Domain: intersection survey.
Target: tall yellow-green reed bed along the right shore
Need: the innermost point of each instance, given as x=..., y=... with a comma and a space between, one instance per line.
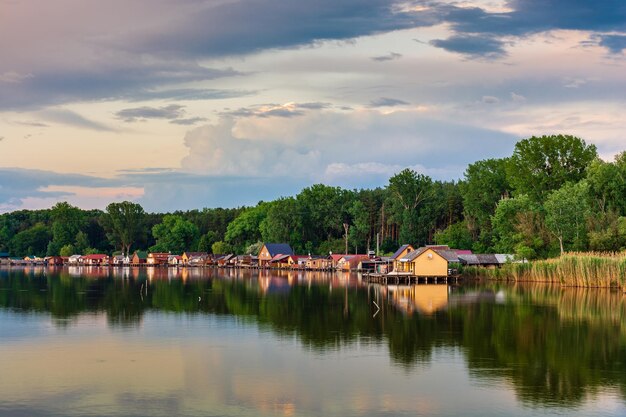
x=584, y=269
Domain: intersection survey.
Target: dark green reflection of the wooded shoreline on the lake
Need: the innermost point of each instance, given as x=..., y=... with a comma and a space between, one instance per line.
x=555, y=345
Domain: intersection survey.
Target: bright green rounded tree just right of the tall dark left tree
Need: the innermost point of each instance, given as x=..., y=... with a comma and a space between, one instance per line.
x=175, y=234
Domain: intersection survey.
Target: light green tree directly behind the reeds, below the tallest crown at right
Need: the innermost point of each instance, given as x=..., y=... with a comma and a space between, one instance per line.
x=567, y=210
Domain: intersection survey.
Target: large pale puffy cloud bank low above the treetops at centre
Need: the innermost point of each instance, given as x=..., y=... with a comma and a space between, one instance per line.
x=318, y=144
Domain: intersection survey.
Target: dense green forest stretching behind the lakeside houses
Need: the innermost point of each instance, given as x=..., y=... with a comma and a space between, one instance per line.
x=552, y=195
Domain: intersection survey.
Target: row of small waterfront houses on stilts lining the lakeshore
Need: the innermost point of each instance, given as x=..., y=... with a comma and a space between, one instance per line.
x=430, y=262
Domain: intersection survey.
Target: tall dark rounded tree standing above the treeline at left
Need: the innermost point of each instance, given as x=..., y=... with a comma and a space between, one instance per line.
x=124, y=224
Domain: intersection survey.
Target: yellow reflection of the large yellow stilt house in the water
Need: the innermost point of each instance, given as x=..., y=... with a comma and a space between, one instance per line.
x=424, y=299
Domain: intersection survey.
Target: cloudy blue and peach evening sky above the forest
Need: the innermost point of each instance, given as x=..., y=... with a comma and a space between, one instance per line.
x=183, y=104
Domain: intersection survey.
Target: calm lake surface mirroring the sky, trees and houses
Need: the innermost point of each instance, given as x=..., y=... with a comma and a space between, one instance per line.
x=222, y=343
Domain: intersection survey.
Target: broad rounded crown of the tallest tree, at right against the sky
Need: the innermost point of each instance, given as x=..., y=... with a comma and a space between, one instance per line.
x=543, y=164
